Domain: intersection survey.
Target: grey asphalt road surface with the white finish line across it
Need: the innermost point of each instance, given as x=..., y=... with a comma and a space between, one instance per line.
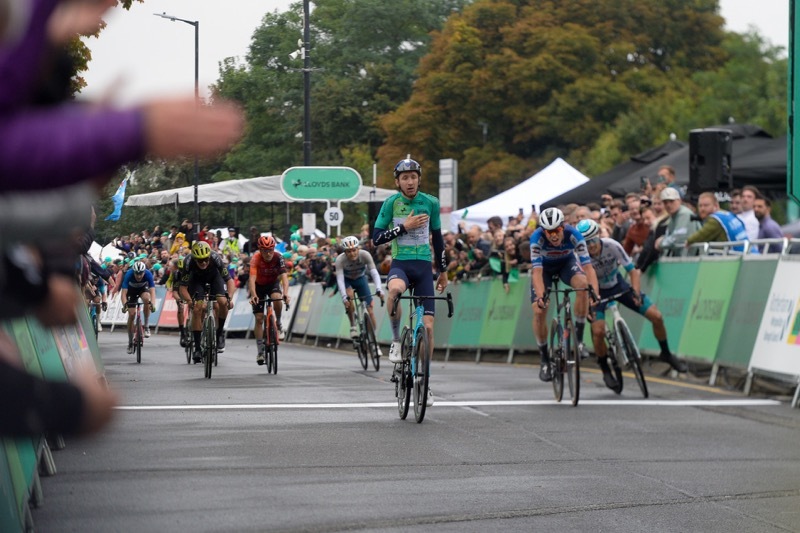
x=320, y=447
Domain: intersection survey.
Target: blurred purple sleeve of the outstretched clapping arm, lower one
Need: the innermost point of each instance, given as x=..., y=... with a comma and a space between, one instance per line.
x=65, y=145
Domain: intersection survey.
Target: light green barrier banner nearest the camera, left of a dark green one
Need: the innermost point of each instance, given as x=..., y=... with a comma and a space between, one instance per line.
x=708, y=307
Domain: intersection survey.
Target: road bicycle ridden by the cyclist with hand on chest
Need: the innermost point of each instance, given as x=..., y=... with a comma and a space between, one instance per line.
x=413, y=373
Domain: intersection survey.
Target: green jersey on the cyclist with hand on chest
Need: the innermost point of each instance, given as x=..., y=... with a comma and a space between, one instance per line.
x=416, y=243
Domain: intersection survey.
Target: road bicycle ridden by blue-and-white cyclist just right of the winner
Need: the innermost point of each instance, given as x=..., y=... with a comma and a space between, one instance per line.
x=564, y=356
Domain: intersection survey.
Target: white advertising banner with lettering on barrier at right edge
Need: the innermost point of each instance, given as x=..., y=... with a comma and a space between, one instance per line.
x=777, y=346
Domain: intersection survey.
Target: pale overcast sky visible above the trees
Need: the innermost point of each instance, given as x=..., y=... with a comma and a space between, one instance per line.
x=140, y=55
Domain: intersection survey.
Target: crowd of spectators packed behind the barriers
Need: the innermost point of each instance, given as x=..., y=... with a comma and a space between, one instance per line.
x=658, y=219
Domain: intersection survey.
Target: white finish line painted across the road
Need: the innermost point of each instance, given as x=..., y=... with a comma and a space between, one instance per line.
x=440, y=403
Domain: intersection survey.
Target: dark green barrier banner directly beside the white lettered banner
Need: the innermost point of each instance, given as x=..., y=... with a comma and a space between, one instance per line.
x=748, y=300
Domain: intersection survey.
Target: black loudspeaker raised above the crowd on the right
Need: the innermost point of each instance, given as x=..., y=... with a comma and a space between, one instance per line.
x=710, y=153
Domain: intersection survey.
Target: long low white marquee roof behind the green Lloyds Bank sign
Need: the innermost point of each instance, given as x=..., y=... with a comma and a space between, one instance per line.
x=253, y=190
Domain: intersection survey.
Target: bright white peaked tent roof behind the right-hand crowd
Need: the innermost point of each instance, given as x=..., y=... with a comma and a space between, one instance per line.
x=555, y=179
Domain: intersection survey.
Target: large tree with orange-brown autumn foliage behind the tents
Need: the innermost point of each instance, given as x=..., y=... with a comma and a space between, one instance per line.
x=548, y=77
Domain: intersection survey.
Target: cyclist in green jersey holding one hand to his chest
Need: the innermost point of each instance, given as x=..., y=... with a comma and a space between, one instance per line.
x=410, y=220
